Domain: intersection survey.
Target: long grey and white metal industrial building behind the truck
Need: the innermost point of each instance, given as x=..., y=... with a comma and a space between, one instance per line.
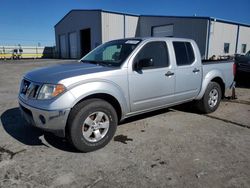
x=80, y=31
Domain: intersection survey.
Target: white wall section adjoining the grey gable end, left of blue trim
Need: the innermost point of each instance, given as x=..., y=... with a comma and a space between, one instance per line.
x=112, y=26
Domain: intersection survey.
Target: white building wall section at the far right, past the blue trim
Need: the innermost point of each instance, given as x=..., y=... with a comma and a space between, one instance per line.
x=244, y=38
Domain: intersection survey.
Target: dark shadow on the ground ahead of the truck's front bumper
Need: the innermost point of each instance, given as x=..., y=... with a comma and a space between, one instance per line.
x=16, y=126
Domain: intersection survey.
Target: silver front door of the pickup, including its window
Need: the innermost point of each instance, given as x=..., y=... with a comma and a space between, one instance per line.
x=152, y=86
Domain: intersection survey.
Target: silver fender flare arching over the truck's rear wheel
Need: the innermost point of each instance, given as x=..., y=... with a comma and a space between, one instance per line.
x=207, y=79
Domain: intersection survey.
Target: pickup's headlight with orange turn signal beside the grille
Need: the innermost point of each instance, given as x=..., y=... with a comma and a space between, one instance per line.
x=48, y=91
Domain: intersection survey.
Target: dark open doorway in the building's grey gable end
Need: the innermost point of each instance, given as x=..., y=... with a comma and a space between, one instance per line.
x=85, y=41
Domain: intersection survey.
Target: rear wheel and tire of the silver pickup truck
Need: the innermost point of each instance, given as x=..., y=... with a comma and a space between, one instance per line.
x=211, y=98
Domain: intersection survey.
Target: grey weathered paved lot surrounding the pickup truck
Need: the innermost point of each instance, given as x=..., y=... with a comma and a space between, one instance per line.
x=174, y=147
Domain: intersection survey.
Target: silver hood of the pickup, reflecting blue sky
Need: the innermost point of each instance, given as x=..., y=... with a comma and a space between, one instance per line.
x=54, y=74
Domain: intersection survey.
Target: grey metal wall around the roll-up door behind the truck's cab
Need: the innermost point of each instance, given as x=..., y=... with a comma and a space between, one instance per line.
x=195, y=29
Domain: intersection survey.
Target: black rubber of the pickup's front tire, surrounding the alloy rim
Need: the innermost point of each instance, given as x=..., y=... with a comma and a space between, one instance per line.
x=76, y=135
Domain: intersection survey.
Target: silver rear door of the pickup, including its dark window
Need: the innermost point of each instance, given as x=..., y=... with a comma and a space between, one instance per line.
x=188, y=71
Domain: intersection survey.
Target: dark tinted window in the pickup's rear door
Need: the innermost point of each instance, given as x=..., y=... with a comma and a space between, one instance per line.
x=184, y=53
